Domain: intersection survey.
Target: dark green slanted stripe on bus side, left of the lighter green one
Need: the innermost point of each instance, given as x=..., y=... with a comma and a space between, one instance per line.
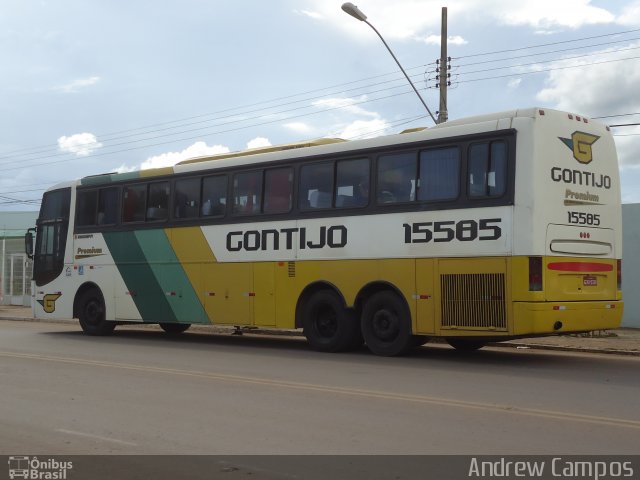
x=139, y=277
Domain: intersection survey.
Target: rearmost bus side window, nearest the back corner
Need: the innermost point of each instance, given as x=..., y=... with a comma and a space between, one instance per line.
x=487, y=169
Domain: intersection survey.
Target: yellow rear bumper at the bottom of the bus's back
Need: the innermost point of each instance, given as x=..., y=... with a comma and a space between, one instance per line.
x=539, y=318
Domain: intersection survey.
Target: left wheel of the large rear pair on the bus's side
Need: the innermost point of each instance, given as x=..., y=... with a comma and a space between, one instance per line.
x=328, y=325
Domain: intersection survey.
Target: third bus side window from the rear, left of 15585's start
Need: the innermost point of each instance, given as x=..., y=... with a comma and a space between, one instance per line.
x=396, y=179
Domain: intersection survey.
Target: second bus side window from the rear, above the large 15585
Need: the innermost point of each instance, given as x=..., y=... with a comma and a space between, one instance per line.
x=439, y=174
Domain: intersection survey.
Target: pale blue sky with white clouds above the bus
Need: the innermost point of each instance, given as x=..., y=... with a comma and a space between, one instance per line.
x=110, y=85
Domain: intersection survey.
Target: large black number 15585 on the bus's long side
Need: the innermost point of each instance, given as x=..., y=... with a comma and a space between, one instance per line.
x=446, y=231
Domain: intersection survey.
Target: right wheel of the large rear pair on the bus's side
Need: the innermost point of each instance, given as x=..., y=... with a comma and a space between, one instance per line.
x=386, y=325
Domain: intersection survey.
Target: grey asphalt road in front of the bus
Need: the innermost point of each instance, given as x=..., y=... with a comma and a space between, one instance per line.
x=143, y=392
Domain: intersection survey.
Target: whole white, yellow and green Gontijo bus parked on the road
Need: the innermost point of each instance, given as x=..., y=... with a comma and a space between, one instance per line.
x=482, y=229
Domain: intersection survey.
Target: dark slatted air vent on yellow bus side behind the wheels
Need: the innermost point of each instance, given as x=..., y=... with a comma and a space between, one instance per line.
x=474, y=301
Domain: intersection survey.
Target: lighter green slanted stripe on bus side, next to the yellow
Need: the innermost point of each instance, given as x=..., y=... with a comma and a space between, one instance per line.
x=171, y=276
